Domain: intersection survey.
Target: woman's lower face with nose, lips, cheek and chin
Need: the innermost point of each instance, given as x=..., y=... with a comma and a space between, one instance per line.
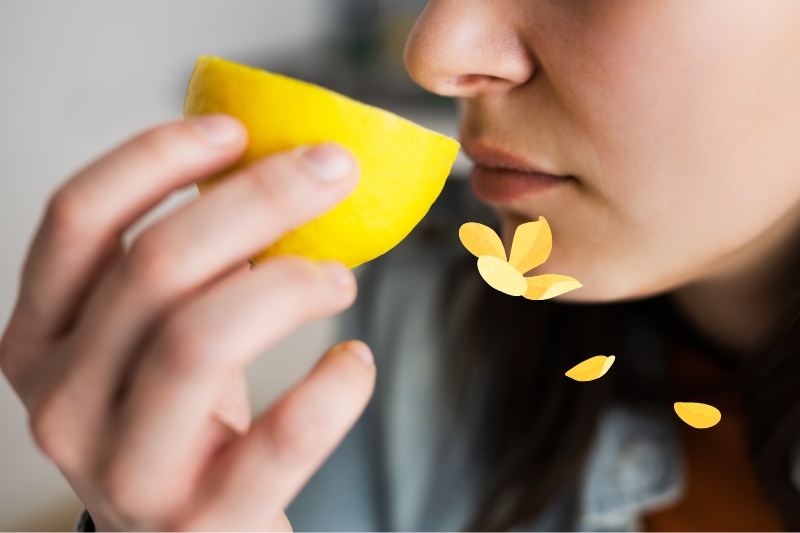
x=659, y=139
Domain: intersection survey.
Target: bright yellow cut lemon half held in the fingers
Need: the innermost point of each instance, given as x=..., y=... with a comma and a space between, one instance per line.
x=403, y=165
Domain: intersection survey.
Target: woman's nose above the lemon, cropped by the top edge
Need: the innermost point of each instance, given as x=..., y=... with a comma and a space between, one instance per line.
x=465, y=48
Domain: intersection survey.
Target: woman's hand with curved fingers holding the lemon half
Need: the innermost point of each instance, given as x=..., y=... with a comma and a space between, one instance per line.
x=130, y=362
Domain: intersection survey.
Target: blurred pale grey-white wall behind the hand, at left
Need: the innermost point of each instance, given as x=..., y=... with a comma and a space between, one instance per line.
x=77, y=77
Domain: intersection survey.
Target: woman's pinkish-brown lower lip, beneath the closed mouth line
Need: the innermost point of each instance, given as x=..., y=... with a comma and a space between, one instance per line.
x=502, y=186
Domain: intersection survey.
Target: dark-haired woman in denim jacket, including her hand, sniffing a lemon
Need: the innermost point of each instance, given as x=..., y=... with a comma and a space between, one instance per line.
x=659, y=139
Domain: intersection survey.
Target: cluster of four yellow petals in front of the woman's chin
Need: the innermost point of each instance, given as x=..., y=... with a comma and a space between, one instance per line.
x=532, y=244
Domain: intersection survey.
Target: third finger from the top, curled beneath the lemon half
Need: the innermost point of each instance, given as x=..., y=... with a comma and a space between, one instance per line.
x=162, y=430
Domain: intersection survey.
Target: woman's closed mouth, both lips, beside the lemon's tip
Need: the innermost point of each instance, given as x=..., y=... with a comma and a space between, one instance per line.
x=502, y=178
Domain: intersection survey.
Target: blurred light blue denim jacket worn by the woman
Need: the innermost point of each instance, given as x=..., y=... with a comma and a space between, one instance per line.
x=404, y=467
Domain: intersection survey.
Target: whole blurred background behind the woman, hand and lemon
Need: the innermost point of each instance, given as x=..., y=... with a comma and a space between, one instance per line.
x=80, y=76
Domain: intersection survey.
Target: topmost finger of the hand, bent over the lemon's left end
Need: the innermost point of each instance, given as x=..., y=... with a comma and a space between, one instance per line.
x=87, y=215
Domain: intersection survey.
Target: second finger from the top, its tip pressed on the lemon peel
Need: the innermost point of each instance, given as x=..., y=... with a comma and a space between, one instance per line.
x=188, y=250
